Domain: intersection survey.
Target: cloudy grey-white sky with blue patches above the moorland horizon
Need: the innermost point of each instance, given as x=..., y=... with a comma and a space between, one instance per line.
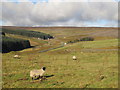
x=78, y=13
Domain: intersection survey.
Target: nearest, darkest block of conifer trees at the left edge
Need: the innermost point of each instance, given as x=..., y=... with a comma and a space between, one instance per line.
x=13, y=44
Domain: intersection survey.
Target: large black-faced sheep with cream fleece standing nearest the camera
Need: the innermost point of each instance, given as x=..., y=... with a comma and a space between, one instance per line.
x=37, y=73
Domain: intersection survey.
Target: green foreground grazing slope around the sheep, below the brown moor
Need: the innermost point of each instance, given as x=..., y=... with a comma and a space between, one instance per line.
x=83, y=73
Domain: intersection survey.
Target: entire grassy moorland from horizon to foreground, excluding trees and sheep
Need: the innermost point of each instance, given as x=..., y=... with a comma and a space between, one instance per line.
x=96, y=65
